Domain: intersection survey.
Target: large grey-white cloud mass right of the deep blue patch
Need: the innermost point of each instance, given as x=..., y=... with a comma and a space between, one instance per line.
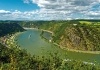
x=65, y=9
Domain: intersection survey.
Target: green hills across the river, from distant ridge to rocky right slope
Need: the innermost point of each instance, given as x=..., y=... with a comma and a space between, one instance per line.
x=73, y=34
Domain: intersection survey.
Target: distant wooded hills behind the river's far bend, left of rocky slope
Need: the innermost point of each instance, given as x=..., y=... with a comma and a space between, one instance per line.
x=50, y=25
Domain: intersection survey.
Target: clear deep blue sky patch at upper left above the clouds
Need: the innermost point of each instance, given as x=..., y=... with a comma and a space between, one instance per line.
x=17, y=5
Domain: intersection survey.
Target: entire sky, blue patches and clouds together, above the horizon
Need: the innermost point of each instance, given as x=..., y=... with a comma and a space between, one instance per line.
x=49, y=9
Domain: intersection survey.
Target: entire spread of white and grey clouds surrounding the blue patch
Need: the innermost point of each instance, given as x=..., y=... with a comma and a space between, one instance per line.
x=56, y=10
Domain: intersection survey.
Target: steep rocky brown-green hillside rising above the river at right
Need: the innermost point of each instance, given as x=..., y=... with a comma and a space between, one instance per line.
x=80, y=37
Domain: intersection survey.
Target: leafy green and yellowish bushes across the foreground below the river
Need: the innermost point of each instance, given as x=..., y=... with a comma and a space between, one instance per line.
x=17, y=59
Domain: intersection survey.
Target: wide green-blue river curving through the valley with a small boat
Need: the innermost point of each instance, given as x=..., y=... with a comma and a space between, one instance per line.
x=35, y=45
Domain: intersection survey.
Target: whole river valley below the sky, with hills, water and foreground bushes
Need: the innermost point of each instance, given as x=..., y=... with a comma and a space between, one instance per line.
x=69, y=42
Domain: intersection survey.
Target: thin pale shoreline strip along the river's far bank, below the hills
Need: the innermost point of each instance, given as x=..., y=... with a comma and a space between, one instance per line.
x=67, y=49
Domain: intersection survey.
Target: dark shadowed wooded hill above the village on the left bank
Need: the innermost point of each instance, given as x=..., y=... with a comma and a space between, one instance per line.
x=8, y=28
